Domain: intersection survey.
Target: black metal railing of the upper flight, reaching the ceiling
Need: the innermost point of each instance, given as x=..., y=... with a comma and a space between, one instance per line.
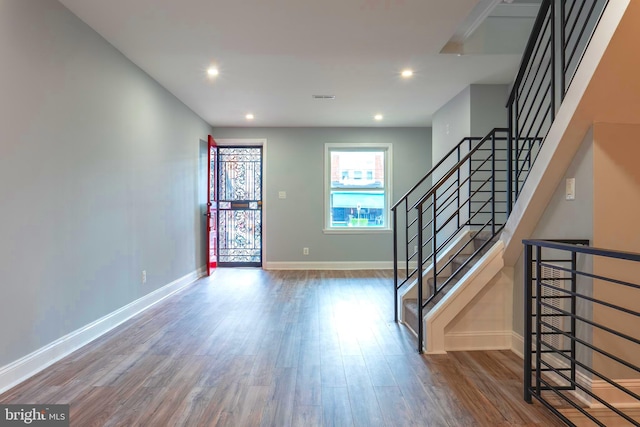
x=559, y=38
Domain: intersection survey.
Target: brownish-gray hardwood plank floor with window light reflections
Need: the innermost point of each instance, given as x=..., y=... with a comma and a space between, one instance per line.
x=248, y=347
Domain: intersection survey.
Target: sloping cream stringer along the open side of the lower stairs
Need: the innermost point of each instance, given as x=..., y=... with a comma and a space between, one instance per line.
x=461, y=296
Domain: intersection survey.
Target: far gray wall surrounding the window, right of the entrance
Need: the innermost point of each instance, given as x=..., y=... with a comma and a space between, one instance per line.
x=295, y=164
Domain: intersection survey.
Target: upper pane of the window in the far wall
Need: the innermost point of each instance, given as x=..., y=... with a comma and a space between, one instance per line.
x=361, y=169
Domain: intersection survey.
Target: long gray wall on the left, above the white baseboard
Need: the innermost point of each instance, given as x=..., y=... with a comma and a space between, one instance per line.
x=99, y=178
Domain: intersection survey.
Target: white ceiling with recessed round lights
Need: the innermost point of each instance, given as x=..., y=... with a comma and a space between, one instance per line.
x=273, y=55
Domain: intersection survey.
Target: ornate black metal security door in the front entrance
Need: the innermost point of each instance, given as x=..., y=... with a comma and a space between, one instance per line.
x=239, y=206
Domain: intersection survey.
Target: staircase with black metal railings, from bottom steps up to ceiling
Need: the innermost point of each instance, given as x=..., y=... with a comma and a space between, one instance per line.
x=445, y=223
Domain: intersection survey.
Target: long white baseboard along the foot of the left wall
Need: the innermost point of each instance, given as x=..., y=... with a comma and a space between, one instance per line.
x=29, y=365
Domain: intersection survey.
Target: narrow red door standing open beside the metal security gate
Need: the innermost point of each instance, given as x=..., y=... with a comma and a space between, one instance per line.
x=212, y=207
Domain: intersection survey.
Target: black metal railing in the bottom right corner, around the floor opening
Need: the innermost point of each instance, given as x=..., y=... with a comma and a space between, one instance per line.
x=581, y=311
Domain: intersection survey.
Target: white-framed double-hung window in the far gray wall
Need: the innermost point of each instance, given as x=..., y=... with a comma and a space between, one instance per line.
x=357, y=187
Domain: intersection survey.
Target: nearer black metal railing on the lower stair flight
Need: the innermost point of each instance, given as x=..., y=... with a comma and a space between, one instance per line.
x=477, y=185
